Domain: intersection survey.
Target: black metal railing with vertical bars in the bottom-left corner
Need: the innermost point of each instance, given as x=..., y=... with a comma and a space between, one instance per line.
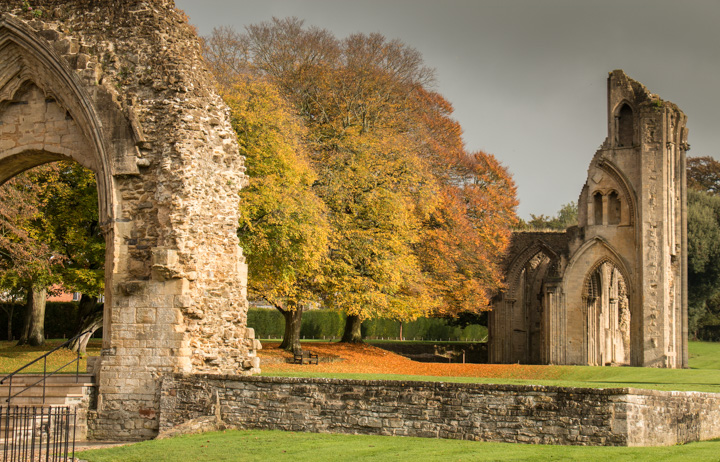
x=38, y=433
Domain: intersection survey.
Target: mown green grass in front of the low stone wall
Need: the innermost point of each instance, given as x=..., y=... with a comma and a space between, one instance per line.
x=278, y=446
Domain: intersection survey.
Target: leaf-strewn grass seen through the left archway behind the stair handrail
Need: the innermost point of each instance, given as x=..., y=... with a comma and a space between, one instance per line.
x=13, y=357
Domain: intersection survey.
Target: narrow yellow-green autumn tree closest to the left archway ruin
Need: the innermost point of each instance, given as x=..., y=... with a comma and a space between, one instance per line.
x=283, y=229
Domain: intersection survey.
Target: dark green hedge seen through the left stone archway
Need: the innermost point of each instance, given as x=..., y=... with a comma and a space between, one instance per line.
x=60, y=318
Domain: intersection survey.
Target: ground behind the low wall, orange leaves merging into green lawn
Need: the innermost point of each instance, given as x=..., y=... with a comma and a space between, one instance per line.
x=366, y=362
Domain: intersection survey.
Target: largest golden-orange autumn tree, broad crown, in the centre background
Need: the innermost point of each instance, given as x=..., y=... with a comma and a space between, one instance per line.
x=385, y=163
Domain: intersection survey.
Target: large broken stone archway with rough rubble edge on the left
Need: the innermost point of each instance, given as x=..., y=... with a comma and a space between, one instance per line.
x=121, y=88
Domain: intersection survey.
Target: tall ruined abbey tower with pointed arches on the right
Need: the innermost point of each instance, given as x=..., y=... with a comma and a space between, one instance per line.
x=612, y=290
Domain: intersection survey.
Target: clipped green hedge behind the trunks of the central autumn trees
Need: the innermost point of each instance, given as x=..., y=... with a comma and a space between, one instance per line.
x=328, y=324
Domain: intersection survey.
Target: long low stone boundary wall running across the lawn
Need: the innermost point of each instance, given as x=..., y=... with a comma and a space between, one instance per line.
x=481, y=412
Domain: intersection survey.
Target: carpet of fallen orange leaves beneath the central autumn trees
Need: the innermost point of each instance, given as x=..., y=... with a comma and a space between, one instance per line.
x=367, y=359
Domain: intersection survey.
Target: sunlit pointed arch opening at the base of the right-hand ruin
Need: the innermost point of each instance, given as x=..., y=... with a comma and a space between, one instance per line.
x=607, y=316
